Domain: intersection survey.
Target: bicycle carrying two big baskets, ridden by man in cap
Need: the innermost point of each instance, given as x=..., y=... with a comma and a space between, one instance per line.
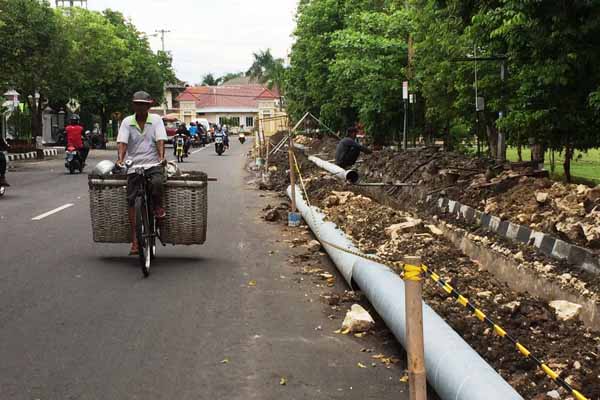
x=146, y=227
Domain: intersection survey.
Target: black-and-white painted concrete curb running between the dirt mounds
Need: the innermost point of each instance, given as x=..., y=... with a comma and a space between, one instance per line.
x=547, y=244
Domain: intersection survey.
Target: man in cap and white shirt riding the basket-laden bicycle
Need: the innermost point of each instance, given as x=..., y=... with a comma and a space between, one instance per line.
x=141, y=139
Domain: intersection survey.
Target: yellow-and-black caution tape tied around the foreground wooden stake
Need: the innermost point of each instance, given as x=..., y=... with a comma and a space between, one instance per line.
x=413, y=273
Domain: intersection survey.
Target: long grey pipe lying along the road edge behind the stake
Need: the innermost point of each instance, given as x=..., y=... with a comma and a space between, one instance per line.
x=454, y=369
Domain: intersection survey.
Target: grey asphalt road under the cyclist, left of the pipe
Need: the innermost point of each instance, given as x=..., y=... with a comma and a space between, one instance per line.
x=78, y=321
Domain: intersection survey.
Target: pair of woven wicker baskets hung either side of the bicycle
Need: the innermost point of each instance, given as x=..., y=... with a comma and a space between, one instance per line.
x=185, y=199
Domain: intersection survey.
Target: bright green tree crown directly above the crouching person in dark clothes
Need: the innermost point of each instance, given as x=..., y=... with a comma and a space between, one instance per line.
x=368, y=69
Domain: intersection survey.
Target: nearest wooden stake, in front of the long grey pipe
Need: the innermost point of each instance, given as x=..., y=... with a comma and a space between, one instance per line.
x=417, y=378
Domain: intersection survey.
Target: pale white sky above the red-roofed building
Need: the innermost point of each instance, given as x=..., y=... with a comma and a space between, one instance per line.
x=211, y=36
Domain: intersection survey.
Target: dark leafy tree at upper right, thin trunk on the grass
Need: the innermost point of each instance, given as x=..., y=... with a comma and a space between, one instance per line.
x=554, y=50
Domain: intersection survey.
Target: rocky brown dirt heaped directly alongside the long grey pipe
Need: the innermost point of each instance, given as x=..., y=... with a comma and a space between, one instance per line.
x=566, y=346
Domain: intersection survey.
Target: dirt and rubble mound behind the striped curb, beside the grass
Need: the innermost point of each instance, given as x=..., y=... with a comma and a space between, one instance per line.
x=513, y=192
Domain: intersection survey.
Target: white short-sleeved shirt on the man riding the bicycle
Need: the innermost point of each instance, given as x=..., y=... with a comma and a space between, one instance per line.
x=141, y=146
